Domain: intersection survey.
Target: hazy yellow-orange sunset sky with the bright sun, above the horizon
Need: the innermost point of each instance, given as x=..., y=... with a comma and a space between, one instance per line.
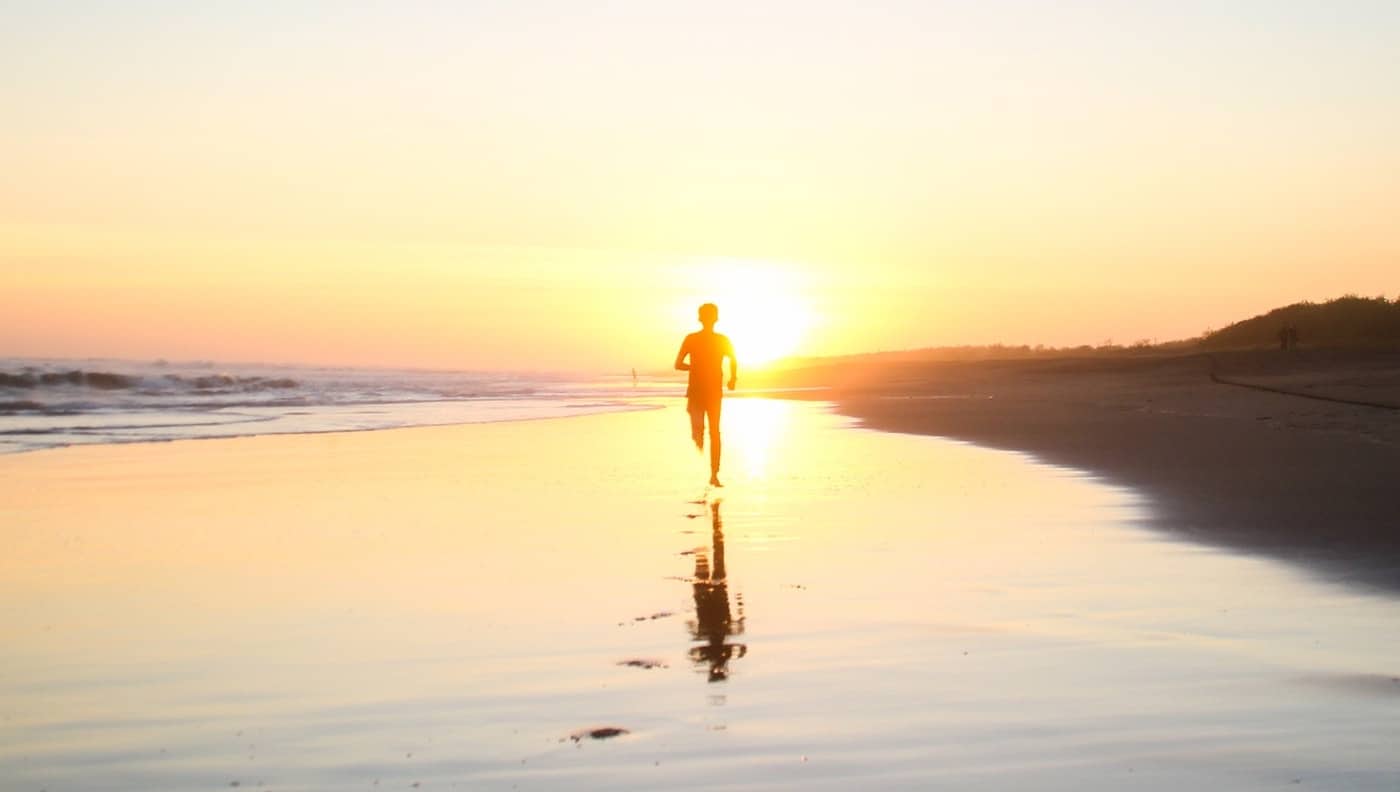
x=549, y=185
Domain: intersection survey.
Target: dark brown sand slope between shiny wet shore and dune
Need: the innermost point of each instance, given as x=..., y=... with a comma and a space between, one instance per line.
x=1269, y=457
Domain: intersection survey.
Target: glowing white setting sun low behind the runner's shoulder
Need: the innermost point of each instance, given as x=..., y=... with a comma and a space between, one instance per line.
x=762, y=310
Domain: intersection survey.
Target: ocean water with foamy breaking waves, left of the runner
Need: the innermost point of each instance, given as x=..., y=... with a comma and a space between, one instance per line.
x=51, y=404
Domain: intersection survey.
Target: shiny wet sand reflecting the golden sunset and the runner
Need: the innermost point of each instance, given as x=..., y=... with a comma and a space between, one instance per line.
x=563, y=604
